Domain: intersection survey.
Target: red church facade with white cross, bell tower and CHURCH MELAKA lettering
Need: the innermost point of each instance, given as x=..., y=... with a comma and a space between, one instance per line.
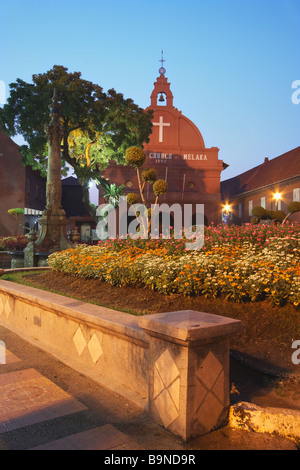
x=177, y=152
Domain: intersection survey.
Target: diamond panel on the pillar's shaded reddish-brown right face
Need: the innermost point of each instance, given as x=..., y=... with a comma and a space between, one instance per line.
x=209, y=391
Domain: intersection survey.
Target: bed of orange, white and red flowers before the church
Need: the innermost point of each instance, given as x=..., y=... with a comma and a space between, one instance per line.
x=248, y=263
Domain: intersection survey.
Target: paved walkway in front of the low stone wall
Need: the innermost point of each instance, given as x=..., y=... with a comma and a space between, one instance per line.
x=45, y=405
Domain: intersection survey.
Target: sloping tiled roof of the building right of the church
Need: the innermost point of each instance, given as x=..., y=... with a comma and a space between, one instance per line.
x=271, y=171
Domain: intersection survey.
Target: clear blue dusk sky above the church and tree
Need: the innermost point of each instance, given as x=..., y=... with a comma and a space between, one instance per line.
x=231, y=63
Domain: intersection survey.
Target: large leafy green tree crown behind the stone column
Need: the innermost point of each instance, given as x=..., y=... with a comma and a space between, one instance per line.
x=96, y=126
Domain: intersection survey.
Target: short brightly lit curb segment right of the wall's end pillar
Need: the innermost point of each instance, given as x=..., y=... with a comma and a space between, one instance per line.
x=277, y=421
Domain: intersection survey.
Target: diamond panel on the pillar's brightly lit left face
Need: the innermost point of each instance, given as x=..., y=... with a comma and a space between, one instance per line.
x=166, y=388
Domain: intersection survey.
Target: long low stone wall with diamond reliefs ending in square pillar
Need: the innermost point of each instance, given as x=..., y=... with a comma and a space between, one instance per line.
x=173, y=364
